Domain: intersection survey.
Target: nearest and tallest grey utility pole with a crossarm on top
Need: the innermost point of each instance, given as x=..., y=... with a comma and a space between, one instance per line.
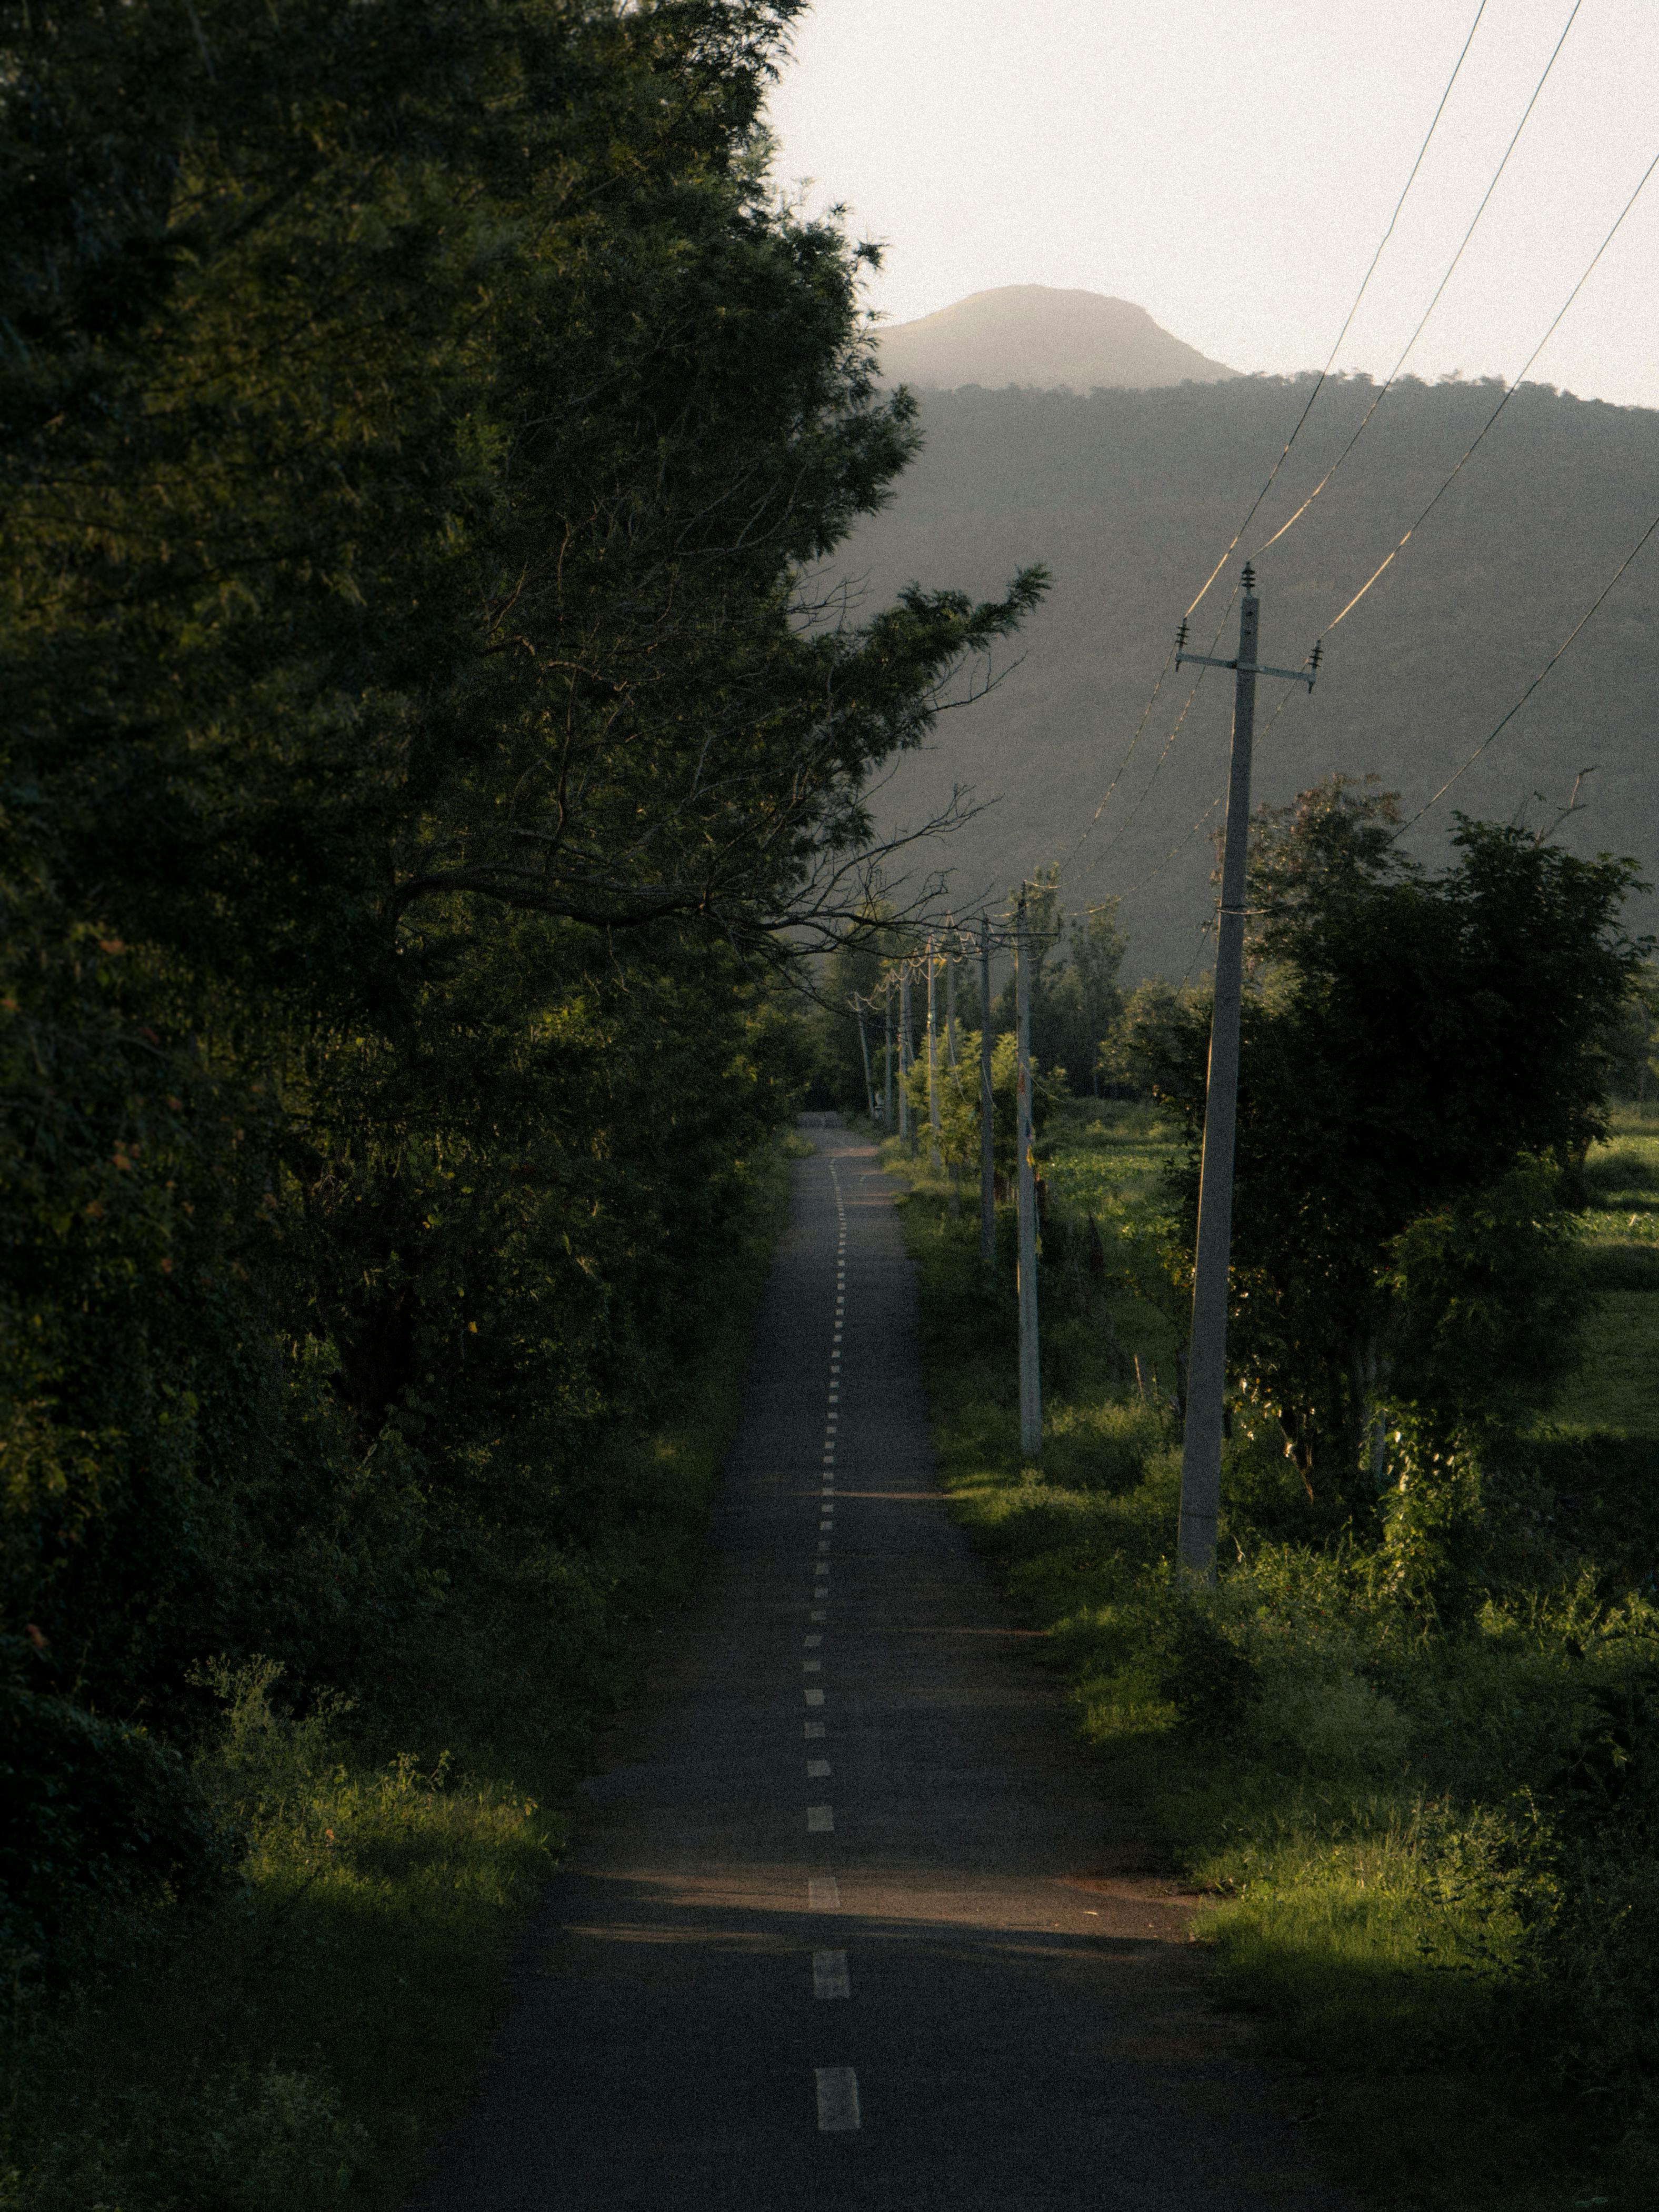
x=1207, y=1375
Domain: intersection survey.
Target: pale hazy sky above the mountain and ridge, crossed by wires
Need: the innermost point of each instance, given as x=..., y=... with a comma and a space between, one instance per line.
x=1231, y=169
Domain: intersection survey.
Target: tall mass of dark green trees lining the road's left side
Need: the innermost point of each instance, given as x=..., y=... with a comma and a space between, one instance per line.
x=415, y=428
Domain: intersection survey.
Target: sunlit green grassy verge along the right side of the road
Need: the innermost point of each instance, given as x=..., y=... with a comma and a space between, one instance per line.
x=1412, y=1813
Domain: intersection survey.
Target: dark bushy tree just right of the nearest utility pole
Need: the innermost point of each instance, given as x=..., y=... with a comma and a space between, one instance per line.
x=1410, y=1050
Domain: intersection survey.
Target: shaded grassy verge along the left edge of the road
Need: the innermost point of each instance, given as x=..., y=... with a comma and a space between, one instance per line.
x=298, y=2038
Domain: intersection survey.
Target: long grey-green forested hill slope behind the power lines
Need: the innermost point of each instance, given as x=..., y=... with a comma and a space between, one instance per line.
x=1131, y=499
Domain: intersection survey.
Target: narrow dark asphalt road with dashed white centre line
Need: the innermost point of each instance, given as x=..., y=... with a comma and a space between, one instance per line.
x=848, y=1923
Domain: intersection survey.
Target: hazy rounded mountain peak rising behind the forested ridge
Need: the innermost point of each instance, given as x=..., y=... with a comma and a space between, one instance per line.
x=1041, y=337
